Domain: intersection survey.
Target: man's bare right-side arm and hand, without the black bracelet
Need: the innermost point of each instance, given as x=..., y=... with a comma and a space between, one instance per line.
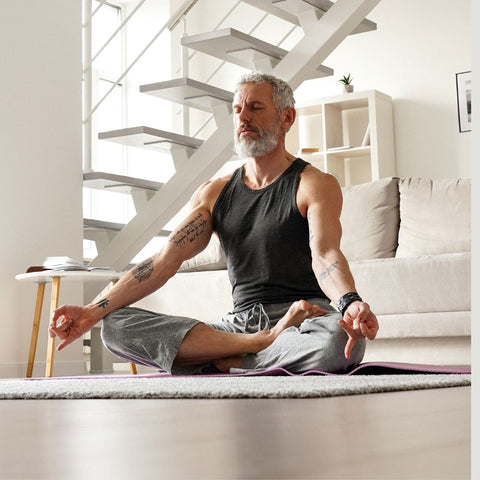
x=320, y=197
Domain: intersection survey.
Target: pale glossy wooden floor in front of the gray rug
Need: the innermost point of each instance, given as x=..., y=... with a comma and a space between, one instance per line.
x=419, y=435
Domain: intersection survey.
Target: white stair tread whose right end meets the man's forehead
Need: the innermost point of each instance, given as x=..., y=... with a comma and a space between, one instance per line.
x=188, y=92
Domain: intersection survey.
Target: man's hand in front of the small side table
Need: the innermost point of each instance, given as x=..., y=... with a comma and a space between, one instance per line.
x=70, y=322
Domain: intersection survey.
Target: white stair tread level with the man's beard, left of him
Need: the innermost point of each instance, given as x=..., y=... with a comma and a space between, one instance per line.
x=147, y=137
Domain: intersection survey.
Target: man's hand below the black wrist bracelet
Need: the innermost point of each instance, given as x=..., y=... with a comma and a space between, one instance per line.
x=358, y=322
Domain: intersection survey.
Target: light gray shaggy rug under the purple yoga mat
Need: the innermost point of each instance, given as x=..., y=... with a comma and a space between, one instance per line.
x=157, y=386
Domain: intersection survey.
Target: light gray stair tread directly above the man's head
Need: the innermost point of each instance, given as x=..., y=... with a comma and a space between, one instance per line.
x=238, y=48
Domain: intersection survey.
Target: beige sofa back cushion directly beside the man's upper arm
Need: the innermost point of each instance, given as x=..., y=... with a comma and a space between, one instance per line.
x=370, y=220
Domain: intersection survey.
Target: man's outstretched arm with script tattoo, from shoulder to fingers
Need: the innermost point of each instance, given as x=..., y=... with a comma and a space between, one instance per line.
x=186, y=241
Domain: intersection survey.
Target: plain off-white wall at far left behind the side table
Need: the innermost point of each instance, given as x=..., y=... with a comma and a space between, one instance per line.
x=40, y=156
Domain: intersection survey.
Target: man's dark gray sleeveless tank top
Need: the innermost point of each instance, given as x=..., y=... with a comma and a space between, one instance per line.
x=266, y=241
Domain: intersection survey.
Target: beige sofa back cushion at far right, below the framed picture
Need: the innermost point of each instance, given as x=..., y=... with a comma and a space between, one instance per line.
x=434, y=216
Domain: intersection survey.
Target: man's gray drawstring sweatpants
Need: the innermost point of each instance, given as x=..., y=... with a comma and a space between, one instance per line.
x=153, y=339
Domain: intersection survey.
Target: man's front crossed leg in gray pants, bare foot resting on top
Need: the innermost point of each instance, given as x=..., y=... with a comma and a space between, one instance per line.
x=163, y=341
